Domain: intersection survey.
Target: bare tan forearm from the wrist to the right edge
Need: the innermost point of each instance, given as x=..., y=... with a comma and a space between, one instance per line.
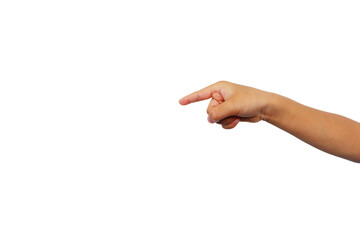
x=328, y=132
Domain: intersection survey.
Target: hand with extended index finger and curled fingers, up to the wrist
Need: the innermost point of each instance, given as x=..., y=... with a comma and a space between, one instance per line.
x=231, y=103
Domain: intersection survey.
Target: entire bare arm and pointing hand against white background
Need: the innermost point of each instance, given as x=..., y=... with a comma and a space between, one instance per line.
x=233, y=103
